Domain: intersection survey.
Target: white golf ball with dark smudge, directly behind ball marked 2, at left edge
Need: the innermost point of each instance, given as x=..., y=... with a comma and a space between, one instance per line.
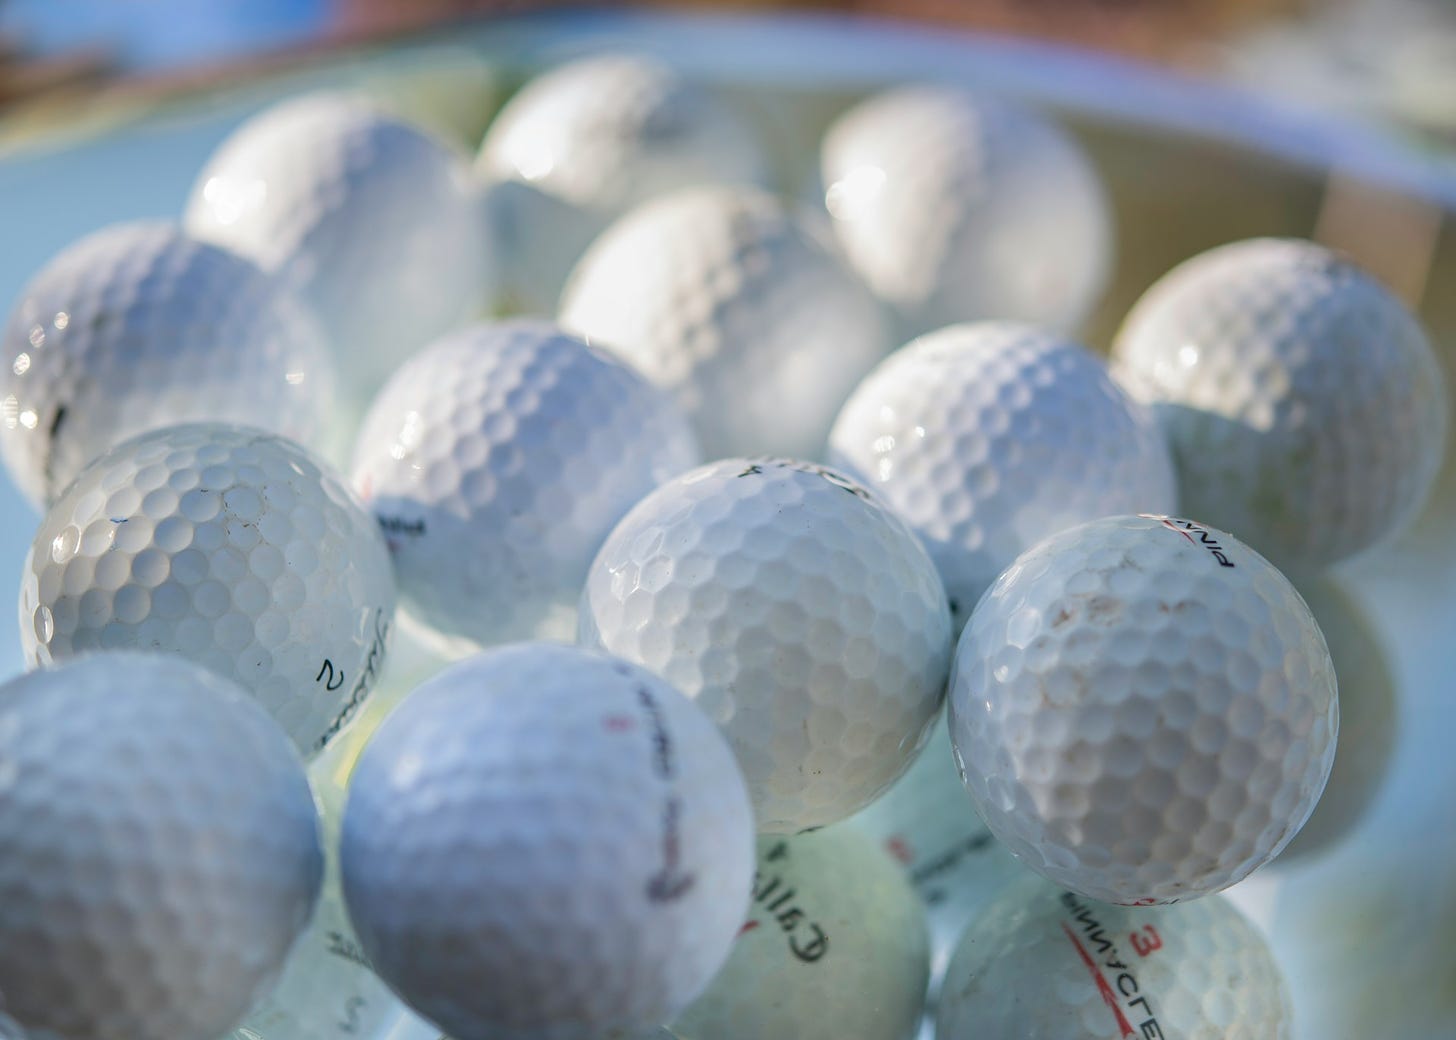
x=139, y=327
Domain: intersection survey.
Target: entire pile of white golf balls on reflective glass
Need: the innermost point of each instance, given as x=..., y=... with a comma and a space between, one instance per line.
x=768, y=662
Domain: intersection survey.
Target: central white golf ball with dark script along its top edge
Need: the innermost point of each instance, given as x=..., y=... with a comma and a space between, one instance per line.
x=799, y=611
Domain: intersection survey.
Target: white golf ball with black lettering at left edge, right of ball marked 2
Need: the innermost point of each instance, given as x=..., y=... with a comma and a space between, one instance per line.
x=497, y=464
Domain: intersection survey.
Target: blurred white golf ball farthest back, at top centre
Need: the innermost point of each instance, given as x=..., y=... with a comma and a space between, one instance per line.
x=583, y=143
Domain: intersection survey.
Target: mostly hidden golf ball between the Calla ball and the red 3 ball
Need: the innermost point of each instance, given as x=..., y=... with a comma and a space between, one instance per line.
x=928, y=822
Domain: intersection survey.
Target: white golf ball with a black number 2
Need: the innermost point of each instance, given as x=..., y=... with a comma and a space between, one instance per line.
x=231, y=547
